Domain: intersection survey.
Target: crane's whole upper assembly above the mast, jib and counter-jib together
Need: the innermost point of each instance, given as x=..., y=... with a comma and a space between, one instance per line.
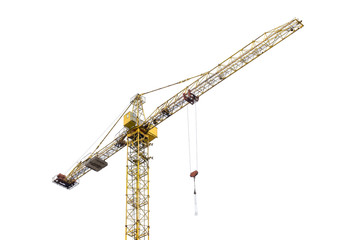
x=190, y=94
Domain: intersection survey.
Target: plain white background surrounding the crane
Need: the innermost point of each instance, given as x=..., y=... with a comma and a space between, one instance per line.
x=278, y=141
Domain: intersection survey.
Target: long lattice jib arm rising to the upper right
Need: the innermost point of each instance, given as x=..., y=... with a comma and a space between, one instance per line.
x=222, y=71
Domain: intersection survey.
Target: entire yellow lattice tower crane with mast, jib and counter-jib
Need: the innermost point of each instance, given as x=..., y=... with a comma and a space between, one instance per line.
x=139, y=131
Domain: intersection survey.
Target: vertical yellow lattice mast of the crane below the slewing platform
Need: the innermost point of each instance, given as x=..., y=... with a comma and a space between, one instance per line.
x=137, y=186
